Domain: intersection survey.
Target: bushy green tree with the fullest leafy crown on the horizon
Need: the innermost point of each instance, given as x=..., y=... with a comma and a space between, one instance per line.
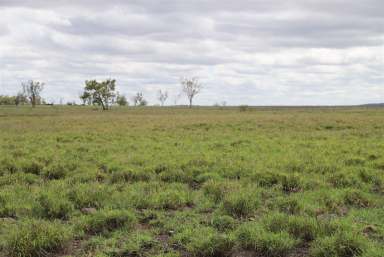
x=101, y=93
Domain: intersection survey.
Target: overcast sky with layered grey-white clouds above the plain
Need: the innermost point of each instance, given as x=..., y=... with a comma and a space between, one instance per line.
x=276, y=52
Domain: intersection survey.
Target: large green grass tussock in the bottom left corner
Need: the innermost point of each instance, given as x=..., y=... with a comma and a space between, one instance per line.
x=36, y=238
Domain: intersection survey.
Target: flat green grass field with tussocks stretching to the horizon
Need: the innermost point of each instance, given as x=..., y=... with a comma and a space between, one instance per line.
x=271, y=182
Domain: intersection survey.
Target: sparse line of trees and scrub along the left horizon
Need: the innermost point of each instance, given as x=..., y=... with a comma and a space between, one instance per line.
x=101, y=93
